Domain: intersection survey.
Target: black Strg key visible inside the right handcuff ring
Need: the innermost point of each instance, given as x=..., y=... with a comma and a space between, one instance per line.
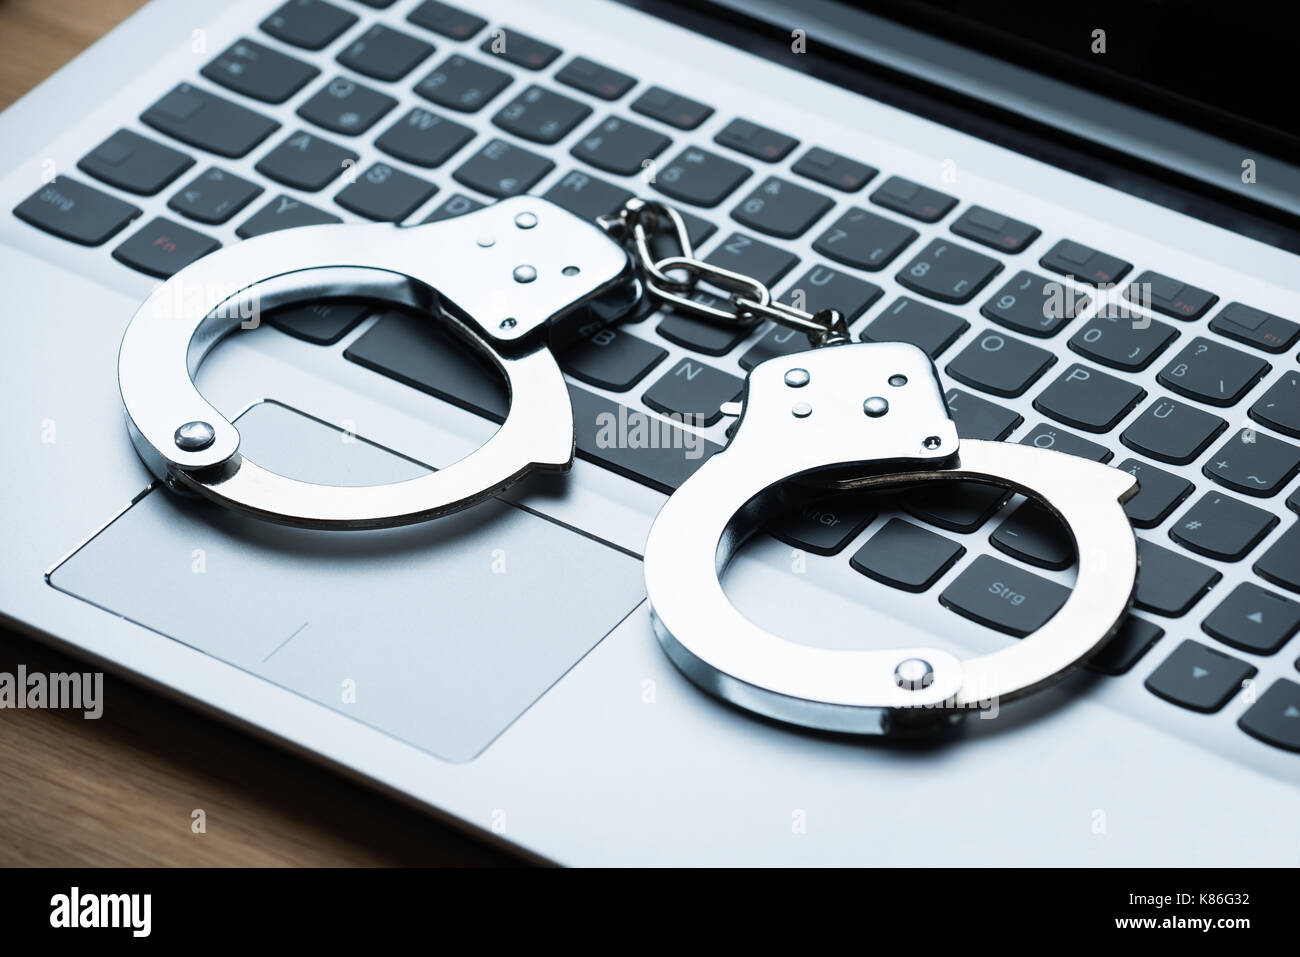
x=1004, y=597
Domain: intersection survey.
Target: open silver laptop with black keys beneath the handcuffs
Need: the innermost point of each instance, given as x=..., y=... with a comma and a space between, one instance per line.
x=499, y=666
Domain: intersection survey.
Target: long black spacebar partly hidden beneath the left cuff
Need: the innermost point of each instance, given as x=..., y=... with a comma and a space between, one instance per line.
x=643, y=447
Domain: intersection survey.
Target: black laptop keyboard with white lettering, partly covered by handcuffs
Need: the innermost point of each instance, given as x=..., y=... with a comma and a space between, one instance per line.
x=1048, y=332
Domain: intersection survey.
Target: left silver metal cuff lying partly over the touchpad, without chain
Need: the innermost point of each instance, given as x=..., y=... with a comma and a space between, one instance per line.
x=504, y=279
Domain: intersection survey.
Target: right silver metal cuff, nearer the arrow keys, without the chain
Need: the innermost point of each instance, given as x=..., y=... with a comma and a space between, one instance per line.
x=804, y=426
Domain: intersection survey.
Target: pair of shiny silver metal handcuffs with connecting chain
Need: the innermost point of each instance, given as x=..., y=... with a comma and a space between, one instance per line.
x=521, y=280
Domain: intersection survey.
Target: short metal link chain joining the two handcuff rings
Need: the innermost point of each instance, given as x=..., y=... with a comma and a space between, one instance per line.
x=673, y=280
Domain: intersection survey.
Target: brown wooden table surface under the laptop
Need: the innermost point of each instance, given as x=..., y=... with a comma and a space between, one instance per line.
x=123, y=790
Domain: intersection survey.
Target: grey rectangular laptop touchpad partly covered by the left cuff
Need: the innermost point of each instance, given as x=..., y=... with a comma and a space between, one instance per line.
x=440, y=634
